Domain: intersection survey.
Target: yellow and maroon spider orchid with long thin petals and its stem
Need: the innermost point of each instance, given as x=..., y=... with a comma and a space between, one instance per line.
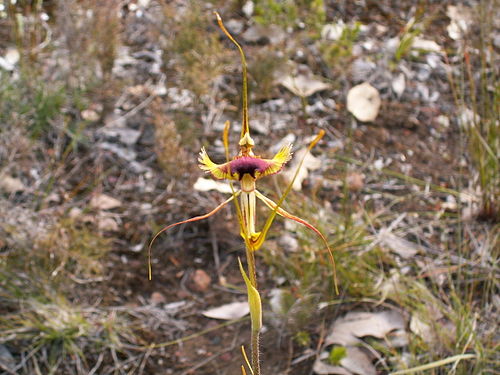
x=246, y=168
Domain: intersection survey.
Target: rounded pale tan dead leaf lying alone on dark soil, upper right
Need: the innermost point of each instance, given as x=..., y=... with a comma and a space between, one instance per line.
x=363, y=101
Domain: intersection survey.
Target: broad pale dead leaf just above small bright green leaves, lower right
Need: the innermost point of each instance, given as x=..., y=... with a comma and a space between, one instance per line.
x=346, y=331
